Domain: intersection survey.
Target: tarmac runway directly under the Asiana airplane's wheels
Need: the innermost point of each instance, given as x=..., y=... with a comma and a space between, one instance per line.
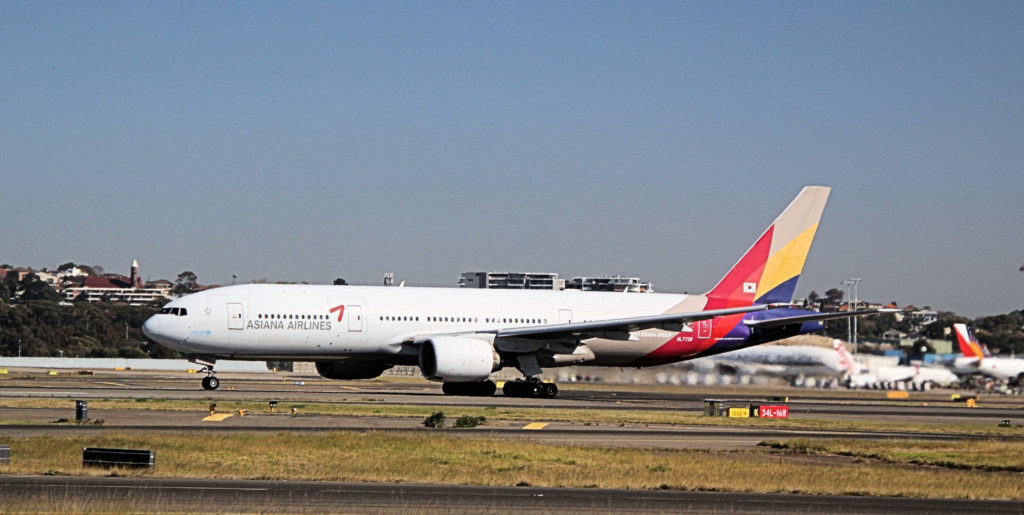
x=804, y=404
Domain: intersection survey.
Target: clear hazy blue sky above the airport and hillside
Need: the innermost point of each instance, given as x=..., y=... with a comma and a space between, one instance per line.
x=306, y=142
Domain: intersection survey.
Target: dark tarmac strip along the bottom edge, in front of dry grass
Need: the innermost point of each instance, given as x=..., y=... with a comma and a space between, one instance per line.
x=146, y=495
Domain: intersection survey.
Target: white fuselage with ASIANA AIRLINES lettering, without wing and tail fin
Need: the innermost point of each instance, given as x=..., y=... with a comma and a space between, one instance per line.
x=323, y=323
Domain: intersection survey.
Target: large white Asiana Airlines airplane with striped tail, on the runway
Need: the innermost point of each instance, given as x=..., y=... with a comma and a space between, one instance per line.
x=461, y=336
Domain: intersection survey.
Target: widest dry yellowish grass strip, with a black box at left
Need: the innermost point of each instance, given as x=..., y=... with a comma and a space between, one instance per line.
x=443, y=459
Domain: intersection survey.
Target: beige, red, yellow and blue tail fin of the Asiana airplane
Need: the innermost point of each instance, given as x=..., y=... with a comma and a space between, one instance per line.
x=770, y=271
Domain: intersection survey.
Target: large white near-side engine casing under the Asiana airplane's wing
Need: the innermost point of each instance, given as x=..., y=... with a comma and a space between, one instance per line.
x=458, y=359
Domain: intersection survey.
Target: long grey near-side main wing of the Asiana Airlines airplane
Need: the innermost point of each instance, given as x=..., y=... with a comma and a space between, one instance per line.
x=619, y=329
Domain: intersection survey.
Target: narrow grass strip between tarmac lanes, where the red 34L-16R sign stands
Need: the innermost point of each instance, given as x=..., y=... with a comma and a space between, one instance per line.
x=503, y=415
